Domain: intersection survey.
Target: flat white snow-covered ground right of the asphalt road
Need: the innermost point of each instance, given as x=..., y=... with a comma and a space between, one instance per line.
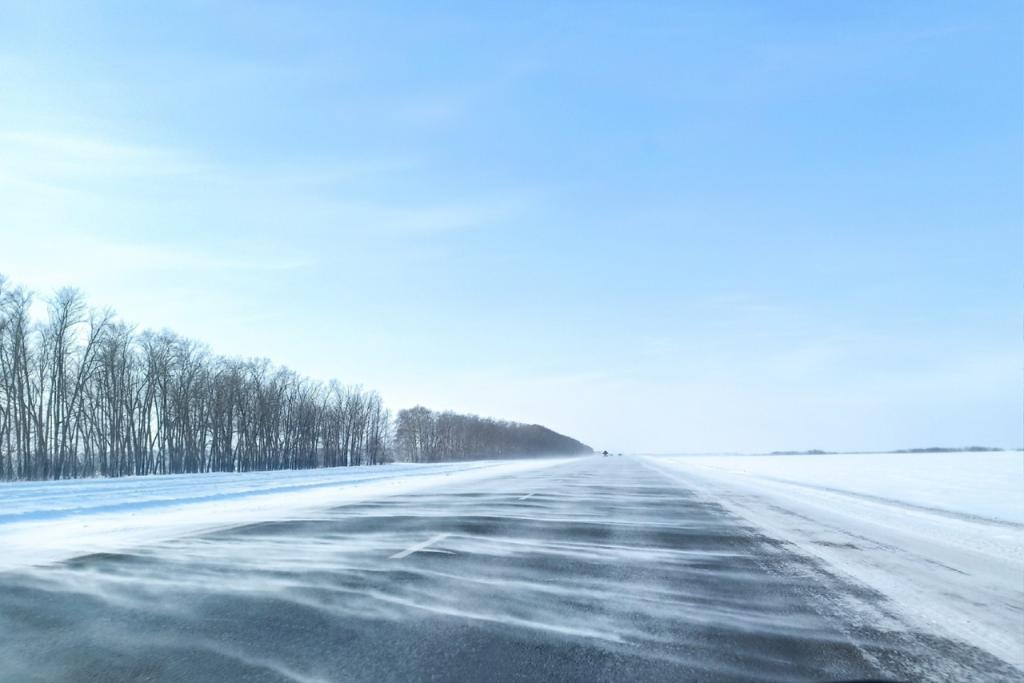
x=940, y=536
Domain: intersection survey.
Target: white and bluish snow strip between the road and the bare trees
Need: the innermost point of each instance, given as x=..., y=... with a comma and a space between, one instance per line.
x=49, y=522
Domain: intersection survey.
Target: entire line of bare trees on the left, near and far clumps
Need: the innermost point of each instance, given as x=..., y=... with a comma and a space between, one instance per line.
x=83, y=395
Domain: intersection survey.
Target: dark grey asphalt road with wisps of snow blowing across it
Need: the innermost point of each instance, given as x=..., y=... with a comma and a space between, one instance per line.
x=599, y=570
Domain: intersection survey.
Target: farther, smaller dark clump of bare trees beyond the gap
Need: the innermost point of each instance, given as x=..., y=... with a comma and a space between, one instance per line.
x=422, y=436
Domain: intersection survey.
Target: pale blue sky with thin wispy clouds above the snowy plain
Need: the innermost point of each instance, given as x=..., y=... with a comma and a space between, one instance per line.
x=656, y=227
